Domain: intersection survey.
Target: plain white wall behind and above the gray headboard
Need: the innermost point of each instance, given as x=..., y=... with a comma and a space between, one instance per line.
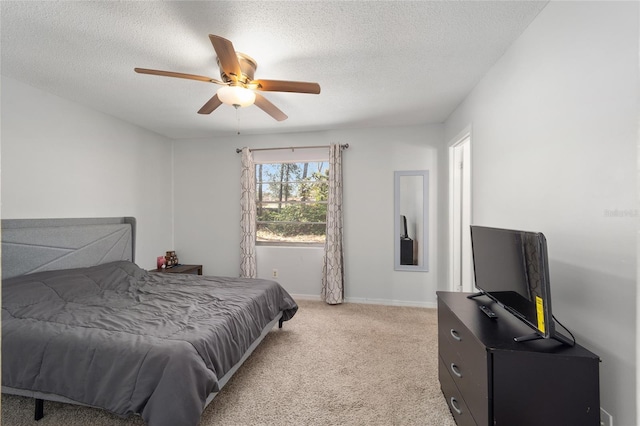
x=60, y=159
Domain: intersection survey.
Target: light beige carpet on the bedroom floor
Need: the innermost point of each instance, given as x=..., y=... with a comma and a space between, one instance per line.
x=350, y=364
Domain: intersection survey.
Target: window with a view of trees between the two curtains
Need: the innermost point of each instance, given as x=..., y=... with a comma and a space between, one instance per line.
x=291, y=202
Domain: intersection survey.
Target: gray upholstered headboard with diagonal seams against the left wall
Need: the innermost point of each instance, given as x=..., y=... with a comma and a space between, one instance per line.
x=34, y=245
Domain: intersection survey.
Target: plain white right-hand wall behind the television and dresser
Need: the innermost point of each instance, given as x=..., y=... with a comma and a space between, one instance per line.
x=554, y=137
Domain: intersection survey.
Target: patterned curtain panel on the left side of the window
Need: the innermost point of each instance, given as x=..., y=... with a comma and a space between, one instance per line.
x=248, y=268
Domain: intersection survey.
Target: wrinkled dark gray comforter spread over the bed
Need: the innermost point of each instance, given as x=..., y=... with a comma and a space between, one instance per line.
x=117, y=337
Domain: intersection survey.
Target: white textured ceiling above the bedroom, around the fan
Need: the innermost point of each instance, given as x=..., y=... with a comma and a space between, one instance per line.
x=379, y=63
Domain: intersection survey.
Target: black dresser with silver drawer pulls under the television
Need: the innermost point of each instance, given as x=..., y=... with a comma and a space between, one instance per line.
x=488, y=379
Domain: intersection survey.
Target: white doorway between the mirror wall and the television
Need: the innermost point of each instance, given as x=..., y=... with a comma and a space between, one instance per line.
x=460, y=257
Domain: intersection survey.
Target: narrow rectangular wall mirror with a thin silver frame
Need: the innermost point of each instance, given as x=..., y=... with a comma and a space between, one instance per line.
x=411, y=201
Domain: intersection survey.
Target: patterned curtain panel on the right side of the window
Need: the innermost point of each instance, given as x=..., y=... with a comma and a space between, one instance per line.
x=332, y=269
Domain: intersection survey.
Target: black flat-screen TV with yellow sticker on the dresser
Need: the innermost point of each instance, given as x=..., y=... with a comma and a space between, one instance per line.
x=511, y=267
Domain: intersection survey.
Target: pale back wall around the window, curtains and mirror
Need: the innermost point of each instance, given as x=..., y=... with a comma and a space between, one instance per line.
x=207, y=174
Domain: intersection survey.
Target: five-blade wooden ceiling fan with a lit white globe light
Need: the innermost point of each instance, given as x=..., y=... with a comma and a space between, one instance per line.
x=239, y=87
